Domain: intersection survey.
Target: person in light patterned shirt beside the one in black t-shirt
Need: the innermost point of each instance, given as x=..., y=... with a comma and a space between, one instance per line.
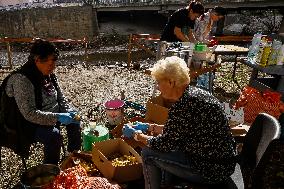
x=204, y=24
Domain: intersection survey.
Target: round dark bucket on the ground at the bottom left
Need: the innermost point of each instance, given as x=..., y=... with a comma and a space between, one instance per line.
x=39, y=176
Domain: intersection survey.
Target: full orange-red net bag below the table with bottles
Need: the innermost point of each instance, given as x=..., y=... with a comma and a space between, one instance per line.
x=255, y=102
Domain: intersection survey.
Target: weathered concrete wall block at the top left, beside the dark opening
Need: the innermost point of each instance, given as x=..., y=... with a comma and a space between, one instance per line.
x=57, y=22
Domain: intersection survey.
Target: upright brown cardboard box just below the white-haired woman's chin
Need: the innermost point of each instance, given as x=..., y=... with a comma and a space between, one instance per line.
x=156, y=112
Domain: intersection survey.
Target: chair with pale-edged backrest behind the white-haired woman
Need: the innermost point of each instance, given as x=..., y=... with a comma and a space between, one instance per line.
x=262, y=132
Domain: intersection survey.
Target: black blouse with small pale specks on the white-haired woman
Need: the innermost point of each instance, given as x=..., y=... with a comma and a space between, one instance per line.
x=198, y=126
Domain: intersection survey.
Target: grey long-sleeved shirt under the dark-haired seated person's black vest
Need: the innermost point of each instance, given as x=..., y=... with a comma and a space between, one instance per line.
x=21, y=88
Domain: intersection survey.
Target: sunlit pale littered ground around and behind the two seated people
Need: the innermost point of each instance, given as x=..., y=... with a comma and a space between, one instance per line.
x=88, y=84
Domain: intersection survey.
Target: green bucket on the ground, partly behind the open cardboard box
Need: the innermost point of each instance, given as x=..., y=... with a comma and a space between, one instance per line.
x=89, y=137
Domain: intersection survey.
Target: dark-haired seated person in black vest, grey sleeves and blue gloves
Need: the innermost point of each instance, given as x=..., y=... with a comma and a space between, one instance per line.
x=35, y=106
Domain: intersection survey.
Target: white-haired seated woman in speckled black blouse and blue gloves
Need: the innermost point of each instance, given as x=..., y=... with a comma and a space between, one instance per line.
x=195, y=143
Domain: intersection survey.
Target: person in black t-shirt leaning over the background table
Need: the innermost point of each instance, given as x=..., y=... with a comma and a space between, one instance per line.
x=181, y=24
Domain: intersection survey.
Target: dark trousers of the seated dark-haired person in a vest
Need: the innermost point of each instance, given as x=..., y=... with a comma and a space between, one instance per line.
x=51, y=138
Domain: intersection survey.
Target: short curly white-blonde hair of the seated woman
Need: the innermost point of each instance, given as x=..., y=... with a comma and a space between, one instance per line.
x=171, y=68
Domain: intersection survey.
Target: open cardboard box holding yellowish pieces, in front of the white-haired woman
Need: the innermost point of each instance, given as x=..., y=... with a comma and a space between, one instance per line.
x=121, y=174
